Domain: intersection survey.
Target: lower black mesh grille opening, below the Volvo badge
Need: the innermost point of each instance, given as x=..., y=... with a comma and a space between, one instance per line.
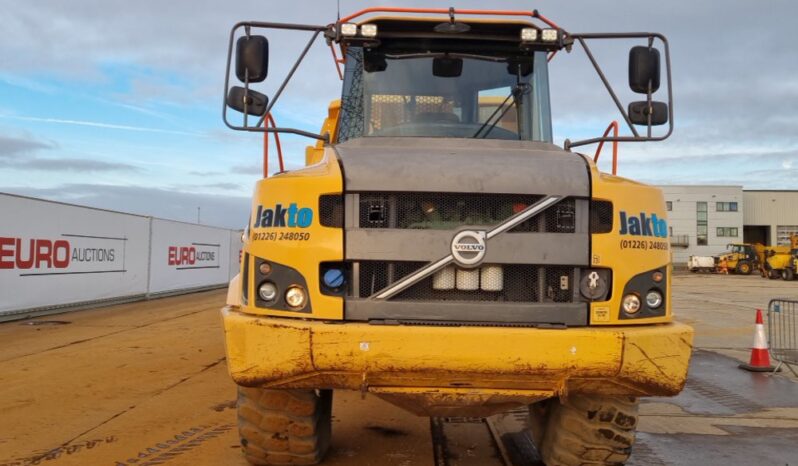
x=515, y=283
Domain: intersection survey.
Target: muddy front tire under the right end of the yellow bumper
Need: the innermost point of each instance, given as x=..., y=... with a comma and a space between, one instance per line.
x=586, y=430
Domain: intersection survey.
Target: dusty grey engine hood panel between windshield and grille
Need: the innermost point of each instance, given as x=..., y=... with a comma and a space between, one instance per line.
x=461, y=165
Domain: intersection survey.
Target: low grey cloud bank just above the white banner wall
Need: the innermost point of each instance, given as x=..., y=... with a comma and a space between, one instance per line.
x=217, y=210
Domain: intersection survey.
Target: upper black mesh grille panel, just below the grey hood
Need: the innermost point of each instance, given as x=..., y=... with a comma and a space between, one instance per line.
x=449, y=211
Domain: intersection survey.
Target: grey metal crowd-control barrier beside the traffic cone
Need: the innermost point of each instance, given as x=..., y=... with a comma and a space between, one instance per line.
x=783, y=332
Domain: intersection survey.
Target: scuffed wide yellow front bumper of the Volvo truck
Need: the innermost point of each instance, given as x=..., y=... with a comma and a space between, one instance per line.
x=491, y=361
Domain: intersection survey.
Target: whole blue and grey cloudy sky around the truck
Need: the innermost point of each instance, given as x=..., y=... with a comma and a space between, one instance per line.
x=117, y=104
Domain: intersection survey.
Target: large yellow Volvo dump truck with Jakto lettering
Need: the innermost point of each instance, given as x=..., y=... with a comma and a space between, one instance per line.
x=439, y=251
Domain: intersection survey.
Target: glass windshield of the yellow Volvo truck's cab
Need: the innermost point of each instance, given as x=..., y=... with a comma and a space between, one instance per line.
x=445, y=95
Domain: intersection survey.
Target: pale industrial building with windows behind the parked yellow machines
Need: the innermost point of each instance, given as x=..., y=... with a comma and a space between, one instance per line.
x=704, y=219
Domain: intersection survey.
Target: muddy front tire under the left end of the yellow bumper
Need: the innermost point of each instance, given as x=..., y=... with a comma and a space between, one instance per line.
x=279, y=427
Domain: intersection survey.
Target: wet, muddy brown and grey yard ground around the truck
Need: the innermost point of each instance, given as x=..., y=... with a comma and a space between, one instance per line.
x=146, y=383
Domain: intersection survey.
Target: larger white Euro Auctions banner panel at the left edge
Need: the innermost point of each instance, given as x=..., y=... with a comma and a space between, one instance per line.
x=60, y=254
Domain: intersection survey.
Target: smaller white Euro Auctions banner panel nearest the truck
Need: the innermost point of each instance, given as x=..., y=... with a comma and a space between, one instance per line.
x=185, y=255
